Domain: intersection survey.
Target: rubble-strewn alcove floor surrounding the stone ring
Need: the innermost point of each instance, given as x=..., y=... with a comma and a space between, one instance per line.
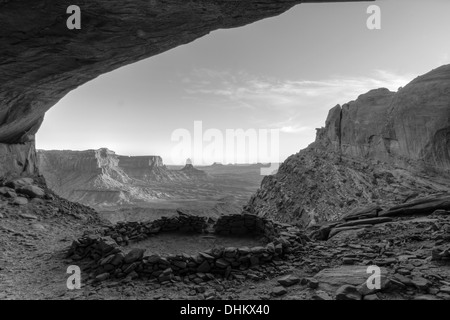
x=34, y=239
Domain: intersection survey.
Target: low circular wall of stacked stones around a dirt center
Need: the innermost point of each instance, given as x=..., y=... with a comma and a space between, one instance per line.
x=106, y=259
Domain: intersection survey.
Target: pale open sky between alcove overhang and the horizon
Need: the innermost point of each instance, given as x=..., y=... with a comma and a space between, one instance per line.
x=283, y=73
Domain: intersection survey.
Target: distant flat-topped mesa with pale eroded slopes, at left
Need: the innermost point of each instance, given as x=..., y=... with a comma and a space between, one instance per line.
x=96, y=177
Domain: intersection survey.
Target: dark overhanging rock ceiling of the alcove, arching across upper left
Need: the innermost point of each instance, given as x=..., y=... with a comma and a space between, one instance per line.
x=42, y=60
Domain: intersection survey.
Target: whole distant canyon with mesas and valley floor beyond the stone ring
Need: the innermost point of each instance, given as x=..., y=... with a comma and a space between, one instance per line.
x=130, y=188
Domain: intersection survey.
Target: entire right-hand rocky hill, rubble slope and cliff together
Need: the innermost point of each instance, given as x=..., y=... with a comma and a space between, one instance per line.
x=382, y=149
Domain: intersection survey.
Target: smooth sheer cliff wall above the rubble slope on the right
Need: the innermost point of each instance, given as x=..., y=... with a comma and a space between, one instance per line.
x=409, y=127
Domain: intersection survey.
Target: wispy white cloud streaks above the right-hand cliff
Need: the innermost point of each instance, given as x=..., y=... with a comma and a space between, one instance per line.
x=291, y=105
